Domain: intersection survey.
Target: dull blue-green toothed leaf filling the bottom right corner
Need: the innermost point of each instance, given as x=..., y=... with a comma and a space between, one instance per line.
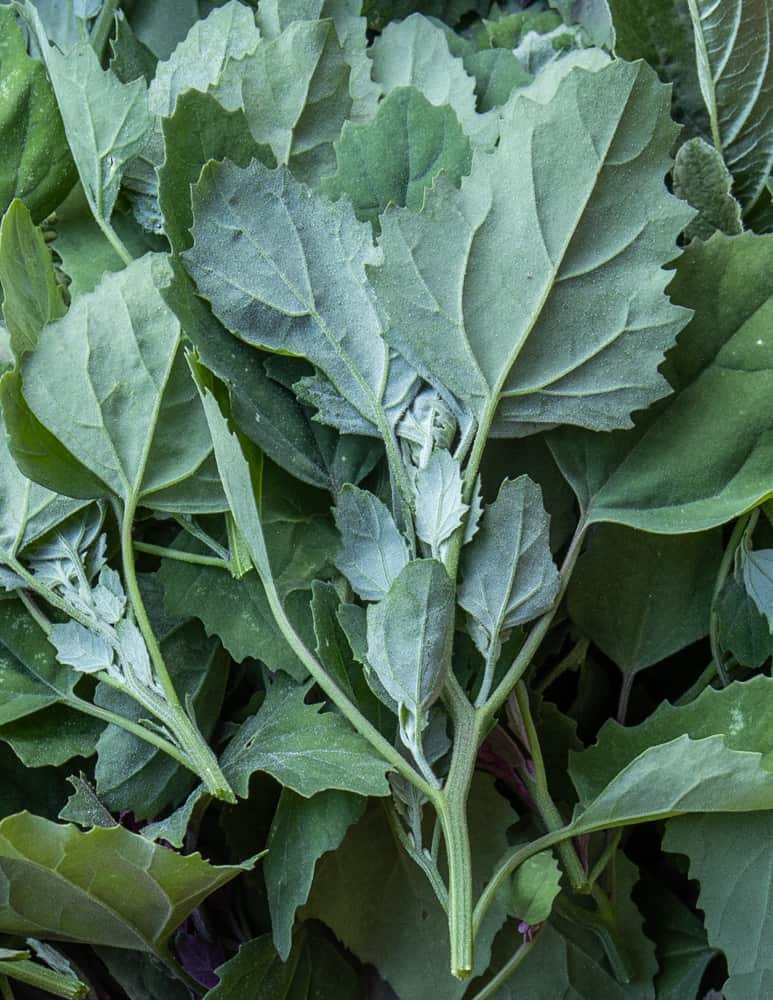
x=731, y=857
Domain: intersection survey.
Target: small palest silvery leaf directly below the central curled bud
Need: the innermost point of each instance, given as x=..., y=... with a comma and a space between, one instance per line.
x=439, y=506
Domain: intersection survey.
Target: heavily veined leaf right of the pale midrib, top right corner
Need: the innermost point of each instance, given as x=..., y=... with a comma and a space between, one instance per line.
x=733, y=48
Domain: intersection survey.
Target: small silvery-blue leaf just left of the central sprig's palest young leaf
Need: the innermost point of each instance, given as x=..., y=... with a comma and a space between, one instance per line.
x=373, y=552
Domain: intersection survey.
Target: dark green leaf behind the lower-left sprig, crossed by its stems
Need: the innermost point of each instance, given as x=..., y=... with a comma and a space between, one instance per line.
x=134, y=775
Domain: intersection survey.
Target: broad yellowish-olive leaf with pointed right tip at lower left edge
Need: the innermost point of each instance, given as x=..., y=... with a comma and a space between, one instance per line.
x=105, y=887
